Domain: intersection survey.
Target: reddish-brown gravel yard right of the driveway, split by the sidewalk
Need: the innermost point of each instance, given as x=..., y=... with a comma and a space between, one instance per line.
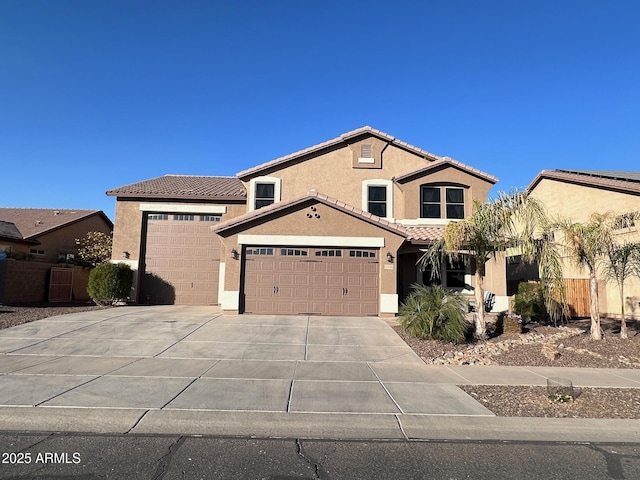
x=546, y=346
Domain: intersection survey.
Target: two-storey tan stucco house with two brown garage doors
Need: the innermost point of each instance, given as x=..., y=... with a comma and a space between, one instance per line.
x=336, y=228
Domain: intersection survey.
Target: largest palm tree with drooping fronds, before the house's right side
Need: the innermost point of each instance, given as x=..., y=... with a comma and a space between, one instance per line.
x=513, y=220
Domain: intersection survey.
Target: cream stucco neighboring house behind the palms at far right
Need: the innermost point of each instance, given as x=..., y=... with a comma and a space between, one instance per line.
x=575, y=195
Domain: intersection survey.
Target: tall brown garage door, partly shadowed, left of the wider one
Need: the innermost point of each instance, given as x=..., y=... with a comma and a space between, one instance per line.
x=182, y=260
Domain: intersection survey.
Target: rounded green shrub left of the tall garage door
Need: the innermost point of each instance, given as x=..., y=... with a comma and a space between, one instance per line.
x=110, y=283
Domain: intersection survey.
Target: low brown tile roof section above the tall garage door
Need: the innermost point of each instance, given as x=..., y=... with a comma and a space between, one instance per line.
x=184, y=186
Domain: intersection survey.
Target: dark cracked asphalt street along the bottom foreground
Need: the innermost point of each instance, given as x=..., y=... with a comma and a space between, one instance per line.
x=68, y=456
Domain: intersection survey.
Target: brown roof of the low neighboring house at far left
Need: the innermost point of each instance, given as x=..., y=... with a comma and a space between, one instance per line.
x=32, y=222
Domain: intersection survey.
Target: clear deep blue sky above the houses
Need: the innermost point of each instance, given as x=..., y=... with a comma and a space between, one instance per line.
x=99, y=94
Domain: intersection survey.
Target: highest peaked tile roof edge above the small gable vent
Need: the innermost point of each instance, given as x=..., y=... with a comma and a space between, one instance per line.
x=342, y=139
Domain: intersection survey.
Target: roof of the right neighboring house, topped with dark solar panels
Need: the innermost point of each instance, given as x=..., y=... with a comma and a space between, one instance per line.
x=627, y=182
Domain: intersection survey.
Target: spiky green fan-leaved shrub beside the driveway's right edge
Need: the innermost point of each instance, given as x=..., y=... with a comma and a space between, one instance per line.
x=435, y=312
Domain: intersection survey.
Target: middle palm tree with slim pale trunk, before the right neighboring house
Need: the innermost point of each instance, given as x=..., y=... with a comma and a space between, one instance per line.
x=588, y=244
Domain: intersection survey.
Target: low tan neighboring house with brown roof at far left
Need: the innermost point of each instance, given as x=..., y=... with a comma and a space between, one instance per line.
x=48, y=235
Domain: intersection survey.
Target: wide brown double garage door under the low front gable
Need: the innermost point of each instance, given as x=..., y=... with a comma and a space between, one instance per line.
x=321, y=281
